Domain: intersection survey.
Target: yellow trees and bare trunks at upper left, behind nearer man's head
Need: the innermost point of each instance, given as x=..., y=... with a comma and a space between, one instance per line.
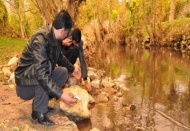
x=27, y=15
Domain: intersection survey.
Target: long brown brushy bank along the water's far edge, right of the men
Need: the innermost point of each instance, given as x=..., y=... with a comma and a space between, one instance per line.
x=173, y=35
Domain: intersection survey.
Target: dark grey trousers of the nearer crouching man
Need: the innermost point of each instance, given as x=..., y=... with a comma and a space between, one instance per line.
x=41, y=98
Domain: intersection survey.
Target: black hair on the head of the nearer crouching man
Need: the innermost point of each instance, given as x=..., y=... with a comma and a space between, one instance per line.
x=62, y=20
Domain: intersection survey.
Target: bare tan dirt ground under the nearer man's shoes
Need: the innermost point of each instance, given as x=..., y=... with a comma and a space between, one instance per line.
x=15, y=114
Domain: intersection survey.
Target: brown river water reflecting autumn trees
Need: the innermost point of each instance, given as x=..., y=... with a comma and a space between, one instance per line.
x=159, y=83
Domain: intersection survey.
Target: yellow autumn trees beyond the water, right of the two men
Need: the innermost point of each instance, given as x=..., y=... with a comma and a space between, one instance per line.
x=128, y=18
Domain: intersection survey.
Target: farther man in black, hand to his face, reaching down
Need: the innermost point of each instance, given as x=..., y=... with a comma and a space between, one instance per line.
x=74, y=50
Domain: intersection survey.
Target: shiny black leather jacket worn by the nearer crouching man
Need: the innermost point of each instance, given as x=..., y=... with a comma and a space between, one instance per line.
x=38, y=59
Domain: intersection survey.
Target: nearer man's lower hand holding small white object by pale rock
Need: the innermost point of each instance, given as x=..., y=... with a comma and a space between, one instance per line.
x=68, y=98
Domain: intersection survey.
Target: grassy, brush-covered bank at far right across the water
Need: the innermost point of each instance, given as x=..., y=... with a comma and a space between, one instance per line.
x=174, y=34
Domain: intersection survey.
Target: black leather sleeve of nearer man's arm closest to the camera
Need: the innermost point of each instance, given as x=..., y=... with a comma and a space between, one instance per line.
x=42, y=68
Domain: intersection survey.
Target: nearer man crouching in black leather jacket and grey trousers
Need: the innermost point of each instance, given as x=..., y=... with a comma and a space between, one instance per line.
x=38, y=76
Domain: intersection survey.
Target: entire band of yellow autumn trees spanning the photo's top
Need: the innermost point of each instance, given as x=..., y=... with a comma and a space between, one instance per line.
x=22, y=17
